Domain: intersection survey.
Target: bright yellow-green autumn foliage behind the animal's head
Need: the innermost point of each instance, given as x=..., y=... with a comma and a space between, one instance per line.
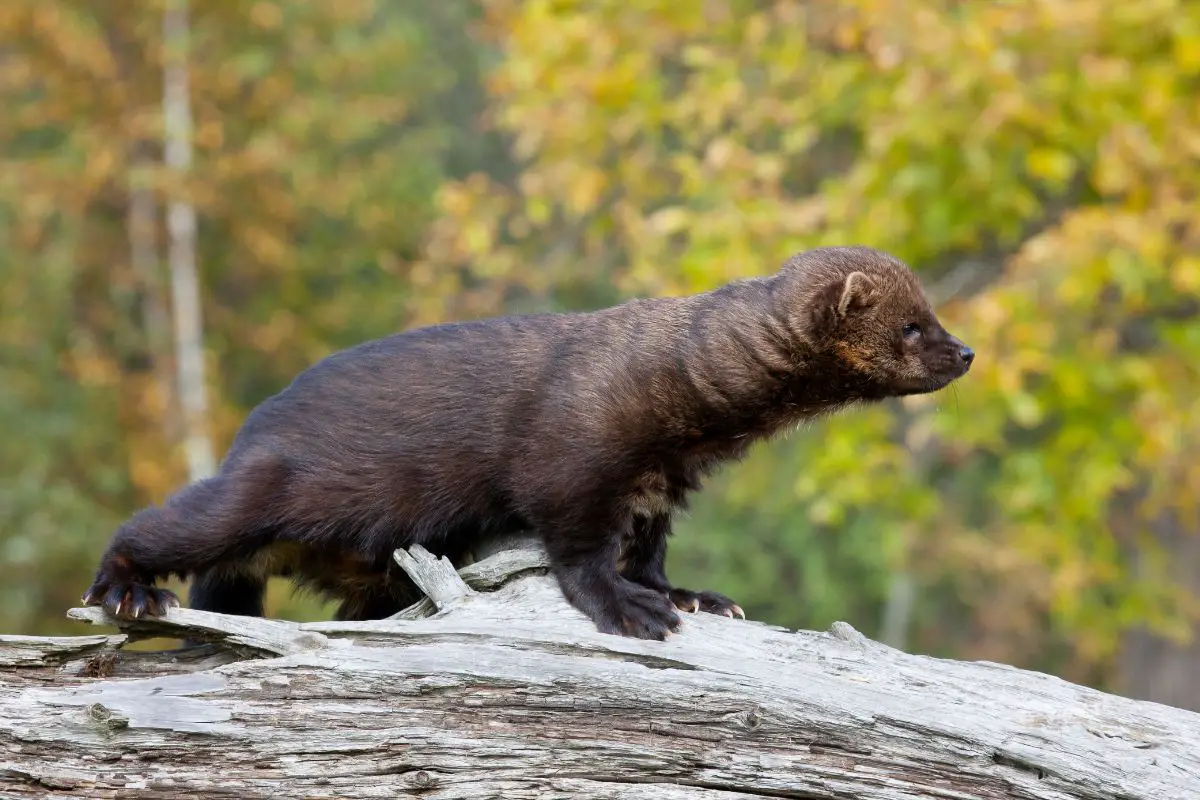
x=719, y=139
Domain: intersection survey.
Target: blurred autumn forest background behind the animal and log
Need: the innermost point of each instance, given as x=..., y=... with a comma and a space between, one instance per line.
x=361, y=167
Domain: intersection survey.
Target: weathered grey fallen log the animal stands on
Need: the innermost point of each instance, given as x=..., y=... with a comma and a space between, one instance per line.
x=495, y=688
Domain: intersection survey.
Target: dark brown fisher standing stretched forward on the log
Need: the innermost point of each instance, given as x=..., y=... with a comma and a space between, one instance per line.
x=589, y=429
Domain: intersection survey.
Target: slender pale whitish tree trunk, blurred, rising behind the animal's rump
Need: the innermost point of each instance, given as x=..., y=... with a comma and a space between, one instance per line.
x=182, y=231
